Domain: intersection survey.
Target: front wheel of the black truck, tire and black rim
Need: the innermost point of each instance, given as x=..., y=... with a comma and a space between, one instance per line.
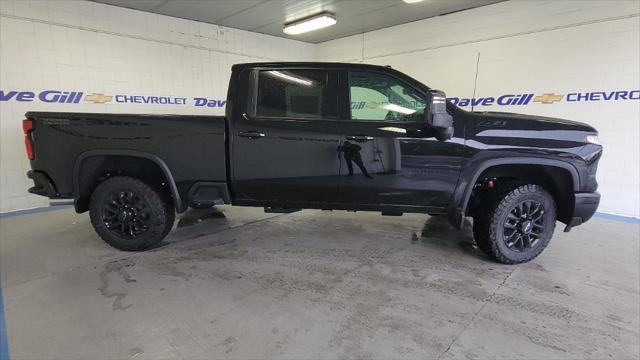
x=515, y=223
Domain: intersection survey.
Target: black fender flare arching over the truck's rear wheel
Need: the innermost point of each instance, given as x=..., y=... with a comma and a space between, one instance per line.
x=180, y=206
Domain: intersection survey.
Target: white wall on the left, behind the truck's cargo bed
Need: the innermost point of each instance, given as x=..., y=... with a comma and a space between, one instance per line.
x=95, y=48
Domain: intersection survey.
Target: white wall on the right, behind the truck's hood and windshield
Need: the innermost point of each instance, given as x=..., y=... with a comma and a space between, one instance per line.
x=538, y=47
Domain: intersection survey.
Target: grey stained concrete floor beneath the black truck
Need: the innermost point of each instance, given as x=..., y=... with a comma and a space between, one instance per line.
x=239, y=283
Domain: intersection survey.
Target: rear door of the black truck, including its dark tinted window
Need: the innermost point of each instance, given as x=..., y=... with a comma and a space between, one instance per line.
x=284, y=146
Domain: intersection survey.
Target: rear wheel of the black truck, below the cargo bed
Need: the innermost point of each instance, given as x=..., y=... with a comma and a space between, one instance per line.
x=129, y=214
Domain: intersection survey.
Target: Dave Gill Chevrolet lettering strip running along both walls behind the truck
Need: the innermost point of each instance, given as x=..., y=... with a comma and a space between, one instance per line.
x=511, y=99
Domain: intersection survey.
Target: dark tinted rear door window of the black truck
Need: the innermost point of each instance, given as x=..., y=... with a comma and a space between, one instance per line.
x=293, y=93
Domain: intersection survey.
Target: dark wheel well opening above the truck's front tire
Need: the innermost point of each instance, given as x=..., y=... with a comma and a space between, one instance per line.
x=556, y=180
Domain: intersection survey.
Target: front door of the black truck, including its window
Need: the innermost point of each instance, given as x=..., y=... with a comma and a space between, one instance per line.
x=388, y=155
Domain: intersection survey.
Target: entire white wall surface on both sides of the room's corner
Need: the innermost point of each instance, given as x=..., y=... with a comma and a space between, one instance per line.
x=525, y=47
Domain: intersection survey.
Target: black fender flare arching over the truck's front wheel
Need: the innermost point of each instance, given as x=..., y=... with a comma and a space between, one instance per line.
x=463, y=193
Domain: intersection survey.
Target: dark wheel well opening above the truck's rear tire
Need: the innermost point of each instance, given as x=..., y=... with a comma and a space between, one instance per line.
x=95, y=169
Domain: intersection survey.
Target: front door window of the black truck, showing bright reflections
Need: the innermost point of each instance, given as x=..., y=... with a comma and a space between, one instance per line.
x=383, y=98
